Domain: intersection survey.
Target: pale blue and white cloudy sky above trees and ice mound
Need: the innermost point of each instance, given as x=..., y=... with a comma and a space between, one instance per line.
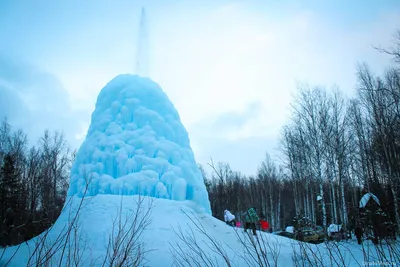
x=229, y=67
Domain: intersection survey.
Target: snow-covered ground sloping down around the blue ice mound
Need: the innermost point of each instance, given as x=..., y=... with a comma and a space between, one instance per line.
x=98, y=214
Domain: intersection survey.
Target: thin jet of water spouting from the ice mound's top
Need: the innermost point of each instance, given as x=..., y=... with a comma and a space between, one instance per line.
x=142, y=54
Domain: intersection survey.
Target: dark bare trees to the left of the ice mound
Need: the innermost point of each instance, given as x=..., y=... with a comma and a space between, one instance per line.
x=33, y=182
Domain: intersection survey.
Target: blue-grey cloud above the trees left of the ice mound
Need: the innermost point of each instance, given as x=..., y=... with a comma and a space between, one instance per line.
x=34, y=100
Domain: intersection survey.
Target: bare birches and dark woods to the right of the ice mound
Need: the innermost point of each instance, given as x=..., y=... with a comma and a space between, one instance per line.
x=334, y=151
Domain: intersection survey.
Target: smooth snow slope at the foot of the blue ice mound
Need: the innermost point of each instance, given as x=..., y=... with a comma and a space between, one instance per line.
x=100, y=216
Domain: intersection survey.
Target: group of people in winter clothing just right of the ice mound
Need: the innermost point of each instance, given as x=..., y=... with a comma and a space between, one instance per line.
x=250, y=218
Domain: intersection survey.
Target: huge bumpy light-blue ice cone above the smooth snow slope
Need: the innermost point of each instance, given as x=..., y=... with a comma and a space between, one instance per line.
x=136, y=144
